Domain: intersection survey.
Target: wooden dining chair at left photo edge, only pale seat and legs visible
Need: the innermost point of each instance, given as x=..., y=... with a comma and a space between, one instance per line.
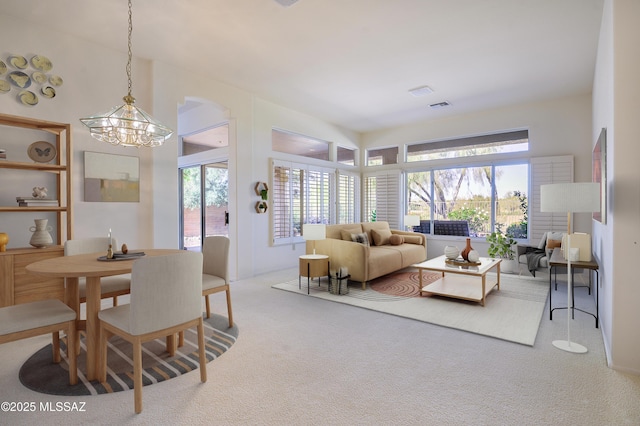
x=42, y=317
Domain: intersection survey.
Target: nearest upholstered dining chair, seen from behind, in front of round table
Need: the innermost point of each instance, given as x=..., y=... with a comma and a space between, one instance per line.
x=165, y=299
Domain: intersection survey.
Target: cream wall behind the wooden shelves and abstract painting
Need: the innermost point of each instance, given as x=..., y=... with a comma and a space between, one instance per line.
x=94, y=80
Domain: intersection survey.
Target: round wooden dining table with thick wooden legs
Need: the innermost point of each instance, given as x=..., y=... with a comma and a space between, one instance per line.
x=92, y=267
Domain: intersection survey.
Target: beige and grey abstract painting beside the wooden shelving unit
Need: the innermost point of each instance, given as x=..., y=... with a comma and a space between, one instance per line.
x=111, y=178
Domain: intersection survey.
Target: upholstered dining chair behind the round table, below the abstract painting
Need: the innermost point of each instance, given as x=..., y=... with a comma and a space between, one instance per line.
x=110, y=287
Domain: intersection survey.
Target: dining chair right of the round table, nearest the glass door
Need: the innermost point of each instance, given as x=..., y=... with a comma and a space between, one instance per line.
x=215, y=271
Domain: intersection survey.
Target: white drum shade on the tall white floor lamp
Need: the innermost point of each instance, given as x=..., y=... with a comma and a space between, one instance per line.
x=580, y=197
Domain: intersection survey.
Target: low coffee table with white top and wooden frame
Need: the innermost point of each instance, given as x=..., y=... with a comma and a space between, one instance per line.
x=460, y=282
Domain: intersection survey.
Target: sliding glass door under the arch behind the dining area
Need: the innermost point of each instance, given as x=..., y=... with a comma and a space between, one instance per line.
x=204, y=199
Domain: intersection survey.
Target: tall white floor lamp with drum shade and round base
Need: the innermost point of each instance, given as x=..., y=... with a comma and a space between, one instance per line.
x=570, y=198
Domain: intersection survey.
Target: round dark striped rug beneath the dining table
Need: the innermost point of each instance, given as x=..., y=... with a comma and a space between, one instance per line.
x=40, y=374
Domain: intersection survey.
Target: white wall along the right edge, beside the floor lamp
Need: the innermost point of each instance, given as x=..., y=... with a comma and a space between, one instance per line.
x=616, y=107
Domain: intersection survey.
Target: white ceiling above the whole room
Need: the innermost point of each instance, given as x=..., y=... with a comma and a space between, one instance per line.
x=352, y=62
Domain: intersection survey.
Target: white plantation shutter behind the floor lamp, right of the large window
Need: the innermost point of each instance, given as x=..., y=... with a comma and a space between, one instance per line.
x=546, y=170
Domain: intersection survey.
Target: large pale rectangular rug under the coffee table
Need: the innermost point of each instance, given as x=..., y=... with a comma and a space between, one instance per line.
x=513, y=313
